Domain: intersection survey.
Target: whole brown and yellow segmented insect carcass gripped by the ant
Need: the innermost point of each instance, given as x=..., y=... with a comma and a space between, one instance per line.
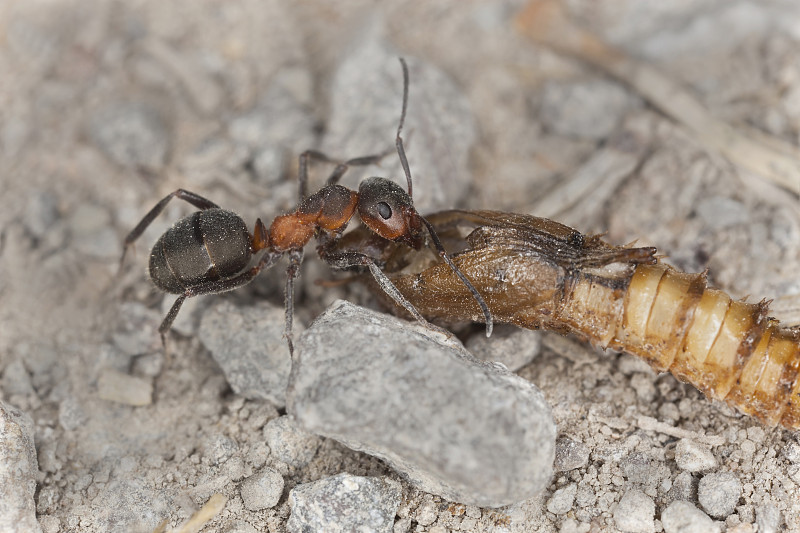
x=537, y=273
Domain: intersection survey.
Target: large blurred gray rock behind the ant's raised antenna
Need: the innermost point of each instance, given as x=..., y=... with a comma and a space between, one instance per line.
x=365, y=107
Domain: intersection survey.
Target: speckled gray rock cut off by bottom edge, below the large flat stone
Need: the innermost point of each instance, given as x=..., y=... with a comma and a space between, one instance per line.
x=344, y=503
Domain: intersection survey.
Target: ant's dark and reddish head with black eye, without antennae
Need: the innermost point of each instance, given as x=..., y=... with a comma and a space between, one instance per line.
x=389, y=211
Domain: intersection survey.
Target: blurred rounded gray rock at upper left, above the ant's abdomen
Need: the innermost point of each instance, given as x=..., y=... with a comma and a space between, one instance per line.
x=133, y=135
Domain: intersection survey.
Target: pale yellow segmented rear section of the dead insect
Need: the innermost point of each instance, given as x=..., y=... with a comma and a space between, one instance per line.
x=728, y=349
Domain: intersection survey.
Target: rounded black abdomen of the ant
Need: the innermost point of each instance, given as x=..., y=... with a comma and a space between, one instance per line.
x=205, y=246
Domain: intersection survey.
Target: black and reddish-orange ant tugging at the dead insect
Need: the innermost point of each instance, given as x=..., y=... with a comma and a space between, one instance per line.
x=208, y=251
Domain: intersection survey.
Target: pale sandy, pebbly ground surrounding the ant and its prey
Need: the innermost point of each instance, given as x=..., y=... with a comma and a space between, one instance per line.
x=105, y=107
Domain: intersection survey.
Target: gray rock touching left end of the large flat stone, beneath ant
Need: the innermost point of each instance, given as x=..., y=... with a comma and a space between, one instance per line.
x=248, y=344
